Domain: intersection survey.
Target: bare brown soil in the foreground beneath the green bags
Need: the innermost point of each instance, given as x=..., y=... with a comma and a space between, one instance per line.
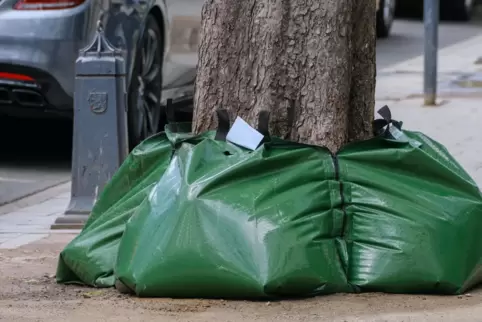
x=29, y=293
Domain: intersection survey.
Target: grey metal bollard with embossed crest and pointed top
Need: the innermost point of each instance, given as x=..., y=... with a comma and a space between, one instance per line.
x=100, y=141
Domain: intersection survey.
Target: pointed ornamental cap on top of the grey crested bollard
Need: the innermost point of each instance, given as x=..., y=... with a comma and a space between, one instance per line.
x=100, y=57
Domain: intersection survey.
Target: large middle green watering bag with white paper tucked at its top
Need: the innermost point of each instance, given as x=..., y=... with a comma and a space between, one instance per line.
x=227, y=222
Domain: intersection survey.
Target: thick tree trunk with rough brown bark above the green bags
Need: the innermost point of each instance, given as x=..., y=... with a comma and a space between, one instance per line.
x=311, y=63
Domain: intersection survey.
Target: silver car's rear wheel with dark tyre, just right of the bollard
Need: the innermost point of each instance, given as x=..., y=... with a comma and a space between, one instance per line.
x=145, y=115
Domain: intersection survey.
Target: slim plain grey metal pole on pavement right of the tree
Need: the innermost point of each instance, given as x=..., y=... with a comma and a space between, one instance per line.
x=431, y=10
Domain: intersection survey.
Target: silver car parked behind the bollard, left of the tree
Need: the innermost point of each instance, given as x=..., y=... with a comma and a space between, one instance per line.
x=40, y=41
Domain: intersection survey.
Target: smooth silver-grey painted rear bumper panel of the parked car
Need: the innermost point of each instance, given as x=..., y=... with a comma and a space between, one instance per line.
x=44, y=40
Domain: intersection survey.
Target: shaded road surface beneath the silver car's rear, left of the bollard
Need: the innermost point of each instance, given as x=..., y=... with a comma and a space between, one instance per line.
x=34, y=155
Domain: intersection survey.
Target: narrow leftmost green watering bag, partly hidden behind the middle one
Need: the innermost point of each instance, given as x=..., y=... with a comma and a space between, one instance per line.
x=89, y=258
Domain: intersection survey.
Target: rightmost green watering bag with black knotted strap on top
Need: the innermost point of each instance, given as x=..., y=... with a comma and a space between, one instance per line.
x=414, y=216
